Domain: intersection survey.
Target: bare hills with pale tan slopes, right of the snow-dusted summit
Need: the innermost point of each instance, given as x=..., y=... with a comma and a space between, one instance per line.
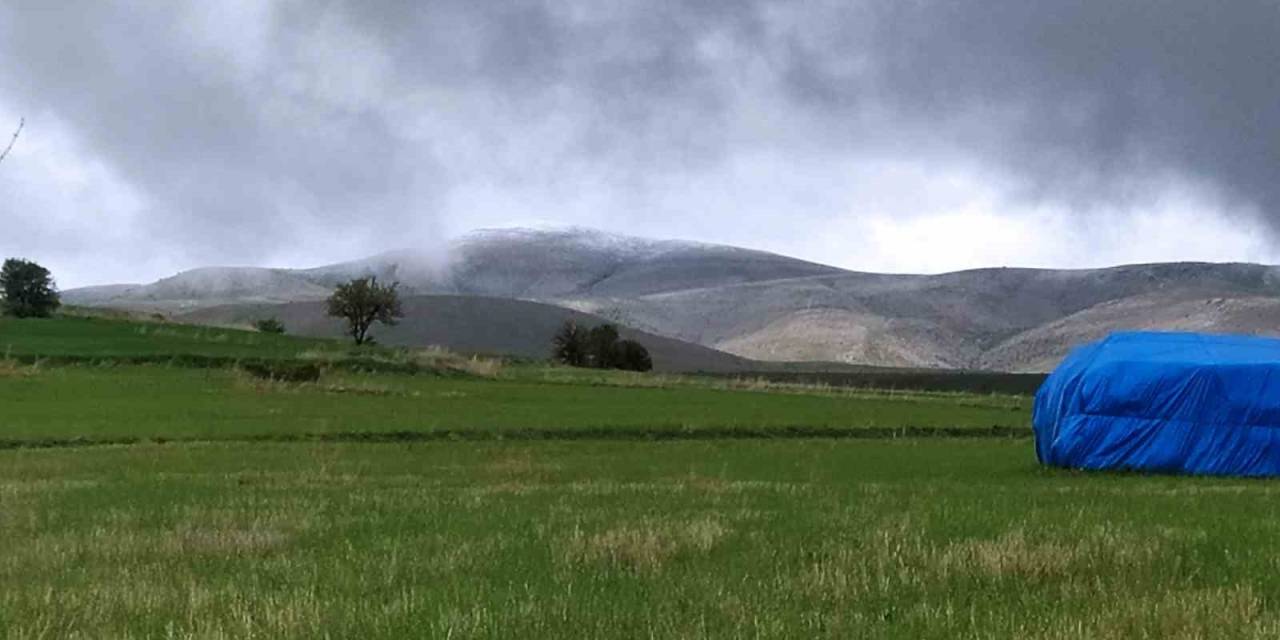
x=952, y=321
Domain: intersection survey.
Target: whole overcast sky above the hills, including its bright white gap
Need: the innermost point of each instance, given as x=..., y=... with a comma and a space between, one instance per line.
x=907, y=136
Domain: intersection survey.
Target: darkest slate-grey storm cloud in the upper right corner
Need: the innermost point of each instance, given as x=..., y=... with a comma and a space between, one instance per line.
x=1082, y=95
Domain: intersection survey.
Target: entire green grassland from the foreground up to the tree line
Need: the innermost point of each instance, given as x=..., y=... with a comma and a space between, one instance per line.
x=524, y=501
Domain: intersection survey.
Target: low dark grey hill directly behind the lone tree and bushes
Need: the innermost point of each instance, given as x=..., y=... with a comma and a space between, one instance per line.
x=472, y=324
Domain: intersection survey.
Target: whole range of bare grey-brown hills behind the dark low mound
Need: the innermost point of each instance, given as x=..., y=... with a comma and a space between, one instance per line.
x=765, y=307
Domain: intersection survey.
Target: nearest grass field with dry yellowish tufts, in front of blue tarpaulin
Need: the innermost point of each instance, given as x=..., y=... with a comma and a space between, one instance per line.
x=680, y=540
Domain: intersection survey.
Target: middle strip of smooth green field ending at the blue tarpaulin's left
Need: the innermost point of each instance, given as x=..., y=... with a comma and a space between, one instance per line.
x=149, y=403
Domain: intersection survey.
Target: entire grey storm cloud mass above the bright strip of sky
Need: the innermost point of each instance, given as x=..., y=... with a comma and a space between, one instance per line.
x=248, y=130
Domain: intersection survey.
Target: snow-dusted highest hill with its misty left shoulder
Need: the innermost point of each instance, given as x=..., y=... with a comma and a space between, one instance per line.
x=508, y=263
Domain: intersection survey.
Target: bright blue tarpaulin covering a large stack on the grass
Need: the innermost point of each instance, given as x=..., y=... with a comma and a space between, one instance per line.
x=1168, y=403
